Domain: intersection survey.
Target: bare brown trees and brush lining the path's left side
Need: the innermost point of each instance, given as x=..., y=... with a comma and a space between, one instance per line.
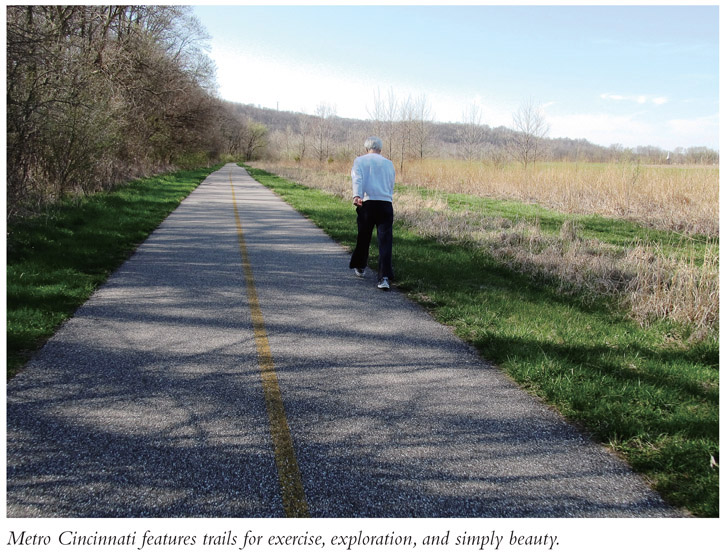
x=101, y=94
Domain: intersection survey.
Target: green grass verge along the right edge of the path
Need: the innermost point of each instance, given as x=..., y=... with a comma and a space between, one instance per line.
x=642, y=391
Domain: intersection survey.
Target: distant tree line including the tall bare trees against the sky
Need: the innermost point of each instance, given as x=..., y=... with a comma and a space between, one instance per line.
x=409, y=131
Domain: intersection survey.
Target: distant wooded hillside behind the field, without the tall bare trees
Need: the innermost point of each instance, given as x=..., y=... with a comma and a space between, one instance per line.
x=296, y=135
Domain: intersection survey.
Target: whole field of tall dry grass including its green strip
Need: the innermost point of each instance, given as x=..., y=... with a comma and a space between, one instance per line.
x=647, y=236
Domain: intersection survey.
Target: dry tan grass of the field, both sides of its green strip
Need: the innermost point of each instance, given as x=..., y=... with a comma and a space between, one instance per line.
x=649, y=282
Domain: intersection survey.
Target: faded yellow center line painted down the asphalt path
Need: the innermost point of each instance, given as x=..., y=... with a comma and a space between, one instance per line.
x=290, y=479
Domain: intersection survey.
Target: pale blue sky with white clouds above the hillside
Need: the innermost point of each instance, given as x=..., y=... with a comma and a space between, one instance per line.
x=633, y=75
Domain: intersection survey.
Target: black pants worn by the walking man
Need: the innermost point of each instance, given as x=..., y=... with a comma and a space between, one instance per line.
x=374, y=213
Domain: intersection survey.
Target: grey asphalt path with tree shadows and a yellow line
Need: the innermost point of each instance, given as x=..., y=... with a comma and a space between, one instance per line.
x=153, y=400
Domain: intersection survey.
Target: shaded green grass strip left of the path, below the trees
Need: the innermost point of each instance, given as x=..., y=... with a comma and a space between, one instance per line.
x=55, y=261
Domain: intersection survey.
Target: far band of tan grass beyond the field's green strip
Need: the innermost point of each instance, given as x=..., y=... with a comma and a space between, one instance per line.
x=684, y=199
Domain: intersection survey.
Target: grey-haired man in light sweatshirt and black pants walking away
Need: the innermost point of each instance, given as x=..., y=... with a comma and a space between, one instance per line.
x=373, y=183
